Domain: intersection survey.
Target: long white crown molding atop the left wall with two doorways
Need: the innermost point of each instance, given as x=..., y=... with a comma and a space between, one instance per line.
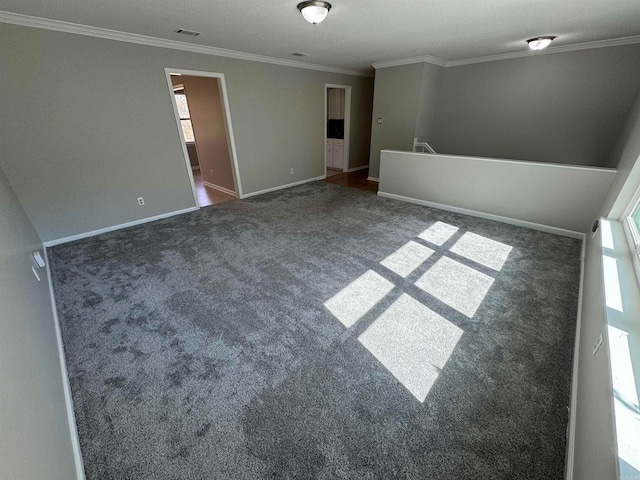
x=89, y=31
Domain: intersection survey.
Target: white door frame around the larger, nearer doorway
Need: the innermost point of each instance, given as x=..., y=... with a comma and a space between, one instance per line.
x=227, y=113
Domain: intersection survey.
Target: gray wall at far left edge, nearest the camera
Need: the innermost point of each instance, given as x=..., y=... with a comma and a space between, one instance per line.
x=35, y=442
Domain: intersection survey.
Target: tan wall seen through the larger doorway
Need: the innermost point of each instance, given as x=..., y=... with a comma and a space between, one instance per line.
x=207, y=116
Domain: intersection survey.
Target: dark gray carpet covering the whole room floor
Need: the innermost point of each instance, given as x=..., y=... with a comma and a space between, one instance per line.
x=264, y=338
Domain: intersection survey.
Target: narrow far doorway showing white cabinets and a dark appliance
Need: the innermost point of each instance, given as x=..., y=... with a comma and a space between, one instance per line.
x=337, y=128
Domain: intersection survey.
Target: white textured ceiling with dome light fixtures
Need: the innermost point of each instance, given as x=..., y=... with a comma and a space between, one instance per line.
x=356, y=33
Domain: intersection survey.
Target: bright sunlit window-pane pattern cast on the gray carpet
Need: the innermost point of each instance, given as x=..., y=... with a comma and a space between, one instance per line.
x=411, y=340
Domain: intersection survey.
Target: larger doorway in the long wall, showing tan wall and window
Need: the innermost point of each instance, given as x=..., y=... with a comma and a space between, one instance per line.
x=201, y=111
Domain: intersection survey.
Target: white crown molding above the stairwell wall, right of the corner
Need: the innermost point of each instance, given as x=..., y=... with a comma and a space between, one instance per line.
x=613, y=42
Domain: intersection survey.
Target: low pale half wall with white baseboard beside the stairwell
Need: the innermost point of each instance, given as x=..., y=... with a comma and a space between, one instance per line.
x=558, y=196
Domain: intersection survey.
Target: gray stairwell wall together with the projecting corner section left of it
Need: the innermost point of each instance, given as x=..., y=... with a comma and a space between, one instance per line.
x=560, y=108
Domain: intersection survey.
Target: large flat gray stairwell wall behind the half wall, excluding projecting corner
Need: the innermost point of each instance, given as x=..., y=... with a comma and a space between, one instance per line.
x=563, y=107
